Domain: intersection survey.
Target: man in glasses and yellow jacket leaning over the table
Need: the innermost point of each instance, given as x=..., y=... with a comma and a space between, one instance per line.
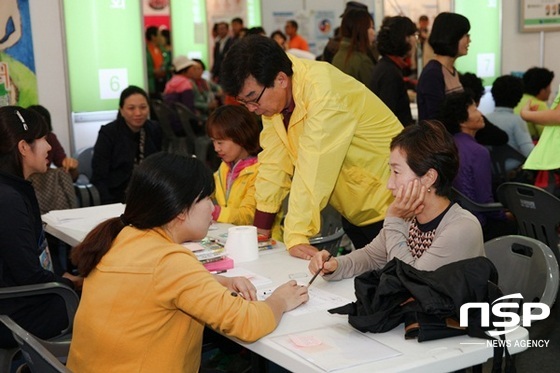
x=325, y=140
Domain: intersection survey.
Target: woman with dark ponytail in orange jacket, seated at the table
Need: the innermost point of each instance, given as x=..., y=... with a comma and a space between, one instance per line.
x=146, y=298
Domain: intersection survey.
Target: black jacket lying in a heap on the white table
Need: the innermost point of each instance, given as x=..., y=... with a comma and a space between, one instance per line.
x=381, y=293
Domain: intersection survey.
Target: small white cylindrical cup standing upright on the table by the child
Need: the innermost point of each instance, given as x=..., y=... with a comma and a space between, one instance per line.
x=241, y=244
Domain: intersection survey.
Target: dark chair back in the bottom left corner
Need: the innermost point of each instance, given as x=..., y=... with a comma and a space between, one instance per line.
x=37, y=355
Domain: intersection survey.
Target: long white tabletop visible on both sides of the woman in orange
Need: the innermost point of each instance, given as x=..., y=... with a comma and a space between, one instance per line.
x=277, y=265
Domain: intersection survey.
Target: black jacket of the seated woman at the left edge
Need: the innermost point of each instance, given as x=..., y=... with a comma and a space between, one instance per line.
x=21, y=241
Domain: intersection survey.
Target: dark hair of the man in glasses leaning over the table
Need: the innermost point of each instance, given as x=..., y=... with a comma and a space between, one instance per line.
x=256, y=56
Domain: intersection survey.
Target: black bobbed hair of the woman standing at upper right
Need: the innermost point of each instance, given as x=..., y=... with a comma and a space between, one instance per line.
x=447, y=30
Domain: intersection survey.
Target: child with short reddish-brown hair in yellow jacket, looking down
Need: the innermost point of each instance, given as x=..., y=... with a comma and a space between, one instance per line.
x=235, y=134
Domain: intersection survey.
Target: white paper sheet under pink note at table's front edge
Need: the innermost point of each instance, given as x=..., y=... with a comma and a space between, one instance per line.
x=341, y=347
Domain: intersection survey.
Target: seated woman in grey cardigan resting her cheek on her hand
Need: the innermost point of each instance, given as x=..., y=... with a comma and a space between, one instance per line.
x=422, y=226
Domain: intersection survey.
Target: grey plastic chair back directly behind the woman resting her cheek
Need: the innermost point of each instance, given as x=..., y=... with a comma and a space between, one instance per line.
x=525, y=265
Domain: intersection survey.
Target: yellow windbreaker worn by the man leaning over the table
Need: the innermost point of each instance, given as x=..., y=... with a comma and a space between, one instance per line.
x=336, y=151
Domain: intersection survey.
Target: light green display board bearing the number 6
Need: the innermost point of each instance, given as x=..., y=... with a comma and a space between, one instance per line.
x=105, y=49
